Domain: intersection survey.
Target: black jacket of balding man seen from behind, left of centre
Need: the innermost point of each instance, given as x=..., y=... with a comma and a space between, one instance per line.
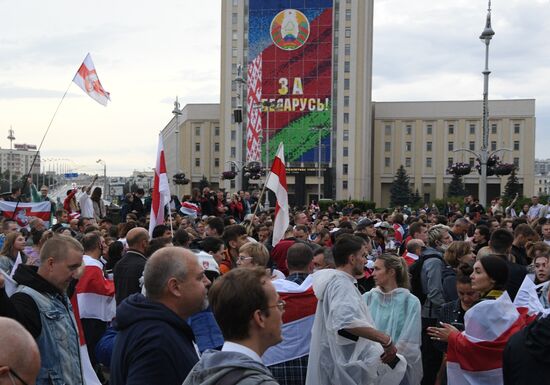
x=127, y=273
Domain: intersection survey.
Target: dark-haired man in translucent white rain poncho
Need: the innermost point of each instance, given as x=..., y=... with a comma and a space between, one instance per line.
x=346, y=348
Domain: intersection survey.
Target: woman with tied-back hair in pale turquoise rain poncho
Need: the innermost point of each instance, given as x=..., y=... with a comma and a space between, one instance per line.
x=397, y=312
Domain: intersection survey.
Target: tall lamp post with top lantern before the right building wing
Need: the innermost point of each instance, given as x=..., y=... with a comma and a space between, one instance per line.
x=485, y=37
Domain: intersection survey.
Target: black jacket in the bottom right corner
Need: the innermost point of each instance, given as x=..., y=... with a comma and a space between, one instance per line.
x=527, y=355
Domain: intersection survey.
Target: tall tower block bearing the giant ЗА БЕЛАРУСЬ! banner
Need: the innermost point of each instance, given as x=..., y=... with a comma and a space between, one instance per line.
x=340, y=34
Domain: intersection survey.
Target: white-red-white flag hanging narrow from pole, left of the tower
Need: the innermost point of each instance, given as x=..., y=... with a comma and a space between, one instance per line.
x=161, y=190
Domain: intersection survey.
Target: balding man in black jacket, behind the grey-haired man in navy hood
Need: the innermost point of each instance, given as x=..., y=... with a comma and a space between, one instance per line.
x=129, y=269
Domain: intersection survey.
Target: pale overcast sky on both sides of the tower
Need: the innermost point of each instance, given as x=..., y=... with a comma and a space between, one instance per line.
x=146, y=53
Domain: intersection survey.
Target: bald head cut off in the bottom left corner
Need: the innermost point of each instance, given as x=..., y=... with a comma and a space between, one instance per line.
x=19, y=355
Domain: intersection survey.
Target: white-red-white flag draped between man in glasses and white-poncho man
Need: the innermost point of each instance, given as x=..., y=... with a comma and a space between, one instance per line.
x=298, y=318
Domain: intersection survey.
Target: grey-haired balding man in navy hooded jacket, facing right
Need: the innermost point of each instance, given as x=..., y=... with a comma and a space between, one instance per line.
x=155, y=345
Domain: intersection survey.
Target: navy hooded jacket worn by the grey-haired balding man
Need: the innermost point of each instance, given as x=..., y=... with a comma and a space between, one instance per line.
x=154, y=345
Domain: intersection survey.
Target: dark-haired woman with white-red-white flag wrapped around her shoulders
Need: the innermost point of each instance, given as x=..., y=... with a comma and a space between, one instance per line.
x=474, y=356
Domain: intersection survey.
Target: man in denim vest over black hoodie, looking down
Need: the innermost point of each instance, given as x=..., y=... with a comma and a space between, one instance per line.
x=41, y=305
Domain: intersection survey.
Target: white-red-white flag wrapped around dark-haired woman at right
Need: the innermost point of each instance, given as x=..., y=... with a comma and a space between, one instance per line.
x=474, y=357
